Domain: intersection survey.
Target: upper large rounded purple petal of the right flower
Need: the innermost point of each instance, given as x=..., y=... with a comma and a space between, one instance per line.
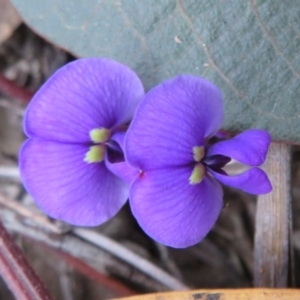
x=172, y=118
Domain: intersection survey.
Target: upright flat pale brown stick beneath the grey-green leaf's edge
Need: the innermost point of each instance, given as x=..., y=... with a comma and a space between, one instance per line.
x=273, y=222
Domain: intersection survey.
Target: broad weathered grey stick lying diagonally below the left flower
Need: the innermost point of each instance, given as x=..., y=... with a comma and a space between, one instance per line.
x=95, y=257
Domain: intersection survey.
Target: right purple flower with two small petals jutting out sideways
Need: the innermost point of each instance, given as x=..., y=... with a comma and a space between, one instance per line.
x=177, y=199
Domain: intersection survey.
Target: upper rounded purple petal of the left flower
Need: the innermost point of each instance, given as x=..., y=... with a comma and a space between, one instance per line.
x=83, y=95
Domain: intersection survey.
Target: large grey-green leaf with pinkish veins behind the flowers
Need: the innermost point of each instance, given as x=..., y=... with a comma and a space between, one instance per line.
x=250, y=49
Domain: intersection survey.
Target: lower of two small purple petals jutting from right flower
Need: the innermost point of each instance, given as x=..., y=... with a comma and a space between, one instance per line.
x=253, y=181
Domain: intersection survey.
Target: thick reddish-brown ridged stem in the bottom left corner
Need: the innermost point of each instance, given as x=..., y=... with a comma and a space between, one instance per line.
x=16, y=271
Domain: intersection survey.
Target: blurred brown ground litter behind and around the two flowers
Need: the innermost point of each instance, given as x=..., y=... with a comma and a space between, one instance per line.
x=73, y=268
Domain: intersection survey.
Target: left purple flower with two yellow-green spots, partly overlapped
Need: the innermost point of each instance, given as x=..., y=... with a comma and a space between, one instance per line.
x=75, y=125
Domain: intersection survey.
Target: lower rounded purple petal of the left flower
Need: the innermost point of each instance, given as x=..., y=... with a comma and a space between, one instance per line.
x=67, y=188
